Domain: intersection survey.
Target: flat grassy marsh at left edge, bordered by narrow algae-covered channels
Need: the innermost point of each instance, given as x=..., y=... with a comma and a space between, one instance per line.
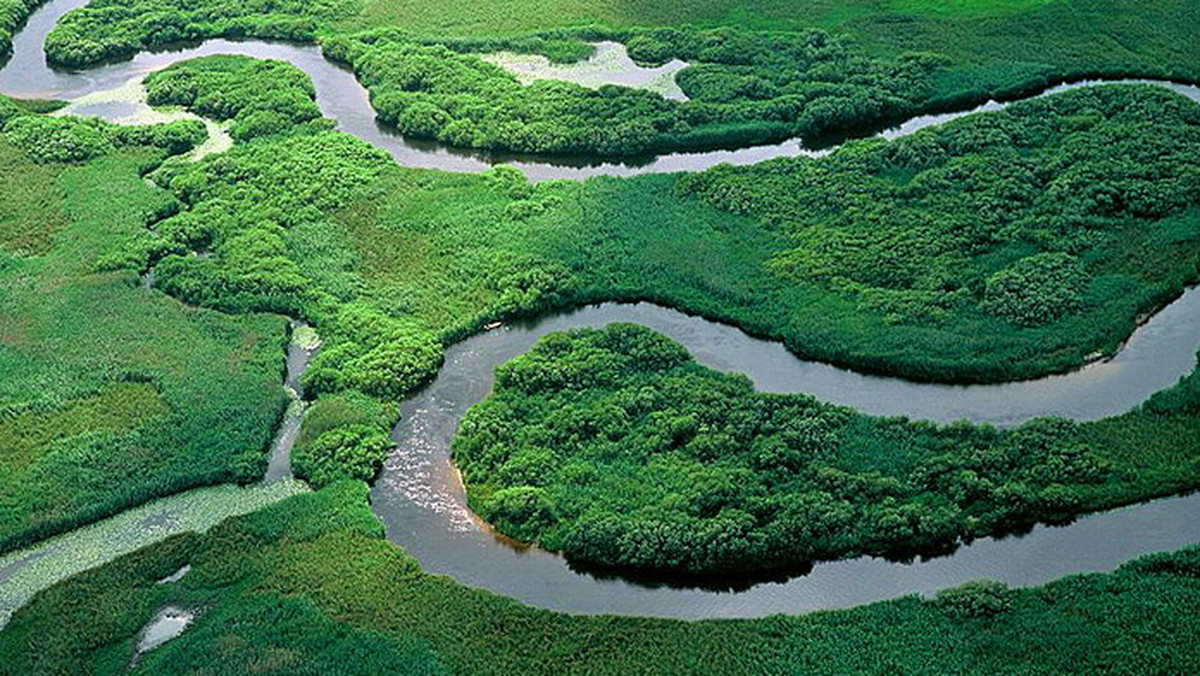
x=111, y=394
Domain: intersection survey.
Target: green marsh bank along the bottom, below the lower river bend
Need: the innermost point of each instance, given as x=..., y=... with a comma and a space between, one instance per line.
x=310, y=587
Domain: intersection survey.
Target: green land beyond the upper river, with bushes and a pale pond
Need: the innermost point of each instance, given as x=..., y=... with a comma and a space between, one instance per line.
x=749, y=81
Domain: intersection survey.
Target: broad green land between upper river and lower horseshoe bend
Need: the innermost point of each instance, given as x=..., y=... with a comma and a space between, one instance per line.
x=878, y=258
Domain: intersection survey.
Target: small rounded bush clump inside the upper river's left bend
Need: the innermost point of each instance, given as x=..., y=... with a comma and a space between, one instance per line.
x=262, y=98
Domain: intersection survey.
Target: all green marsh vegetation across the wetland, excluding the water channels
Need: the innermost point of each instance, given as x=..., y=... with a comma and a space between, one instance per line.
x=145, y=304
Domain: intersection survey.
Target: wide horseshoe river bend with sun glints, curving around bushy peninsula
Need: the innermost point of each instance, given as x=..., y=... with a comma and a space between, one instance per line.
x=422, y=502
